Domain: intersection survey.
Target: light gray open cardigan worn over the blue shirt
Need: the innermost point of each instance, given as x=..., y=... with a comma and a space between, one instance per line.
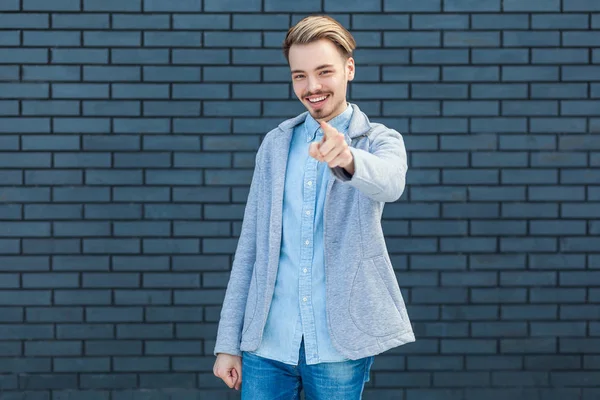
x=366, y=313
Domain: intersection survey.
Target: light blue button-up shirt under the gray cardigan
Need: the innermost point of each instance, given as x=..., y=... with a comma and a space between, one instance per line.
x=298, y=308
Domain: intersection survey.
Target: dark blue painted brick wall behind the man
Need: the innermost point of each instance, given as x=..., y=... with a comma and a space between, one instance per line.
x=128, y=131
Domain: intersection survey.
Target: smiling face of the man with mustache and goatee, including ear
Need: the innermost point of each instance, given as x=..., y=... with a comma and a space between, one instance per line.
x=320, y=76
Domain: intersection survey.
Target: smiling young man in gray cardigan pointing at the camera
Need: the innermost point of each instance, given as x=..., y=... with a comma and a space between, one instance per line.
x=312, y=295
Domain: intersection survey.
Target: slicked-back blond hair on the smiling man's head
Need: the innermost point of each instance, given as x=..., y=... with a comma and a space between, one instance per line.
x=316, y=27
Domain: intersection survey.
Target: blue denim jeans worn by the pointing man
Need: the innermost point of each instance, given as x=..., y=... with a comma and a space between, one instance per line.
x=264, y=379
